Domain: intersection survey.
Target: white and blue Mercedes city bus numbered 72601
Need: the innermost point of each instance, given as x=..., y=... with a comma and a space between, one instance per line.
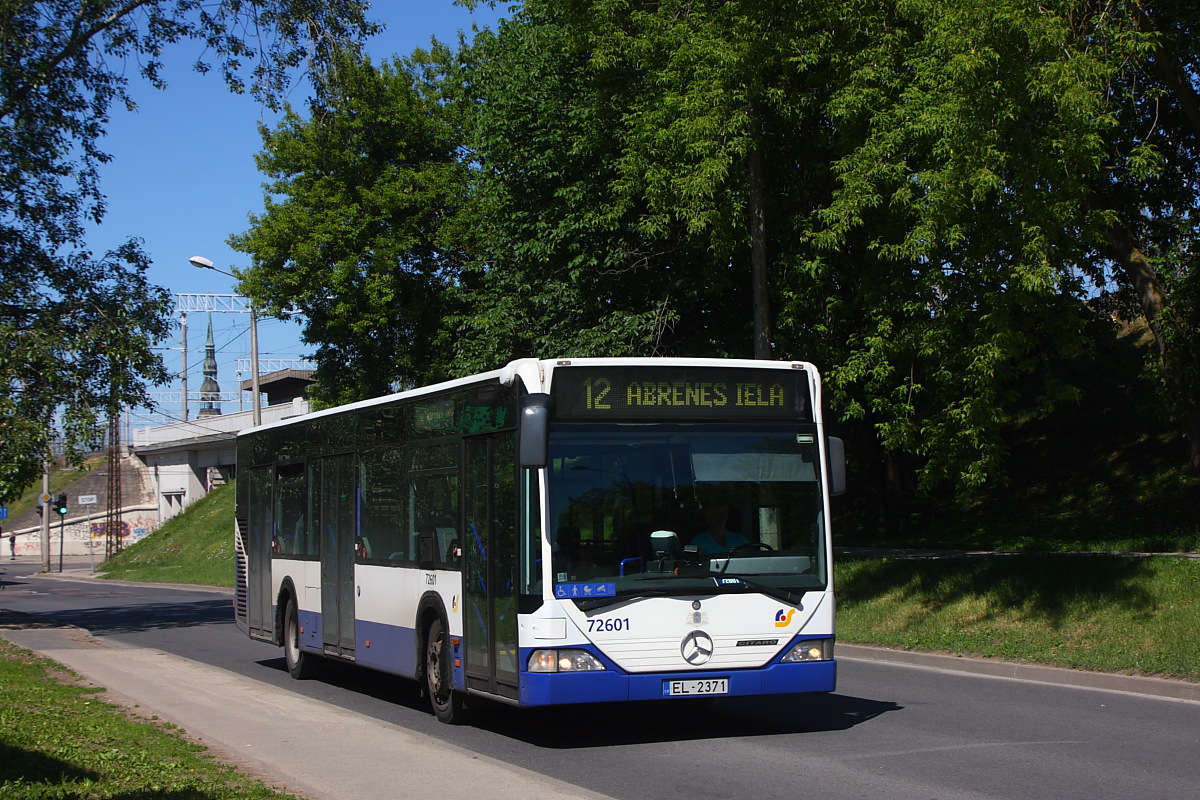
x=555, y=532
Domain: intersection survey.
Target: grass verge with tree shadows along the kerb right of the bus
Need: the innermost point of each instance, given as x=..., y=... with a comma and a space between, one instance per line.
x=1100, y=612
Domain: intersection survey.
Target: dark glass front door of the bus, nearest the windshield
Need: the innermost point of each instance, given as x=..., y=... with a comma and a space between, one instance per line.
x=490, y=566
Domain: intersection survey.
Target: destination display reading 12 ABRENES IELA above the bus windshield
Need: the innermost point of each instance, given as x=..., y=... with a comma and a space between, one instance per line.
x=640, y=394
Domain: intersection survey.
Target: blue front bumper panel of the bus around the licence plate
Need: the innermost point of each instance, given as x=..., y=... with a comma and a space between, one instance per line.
x=553, y=689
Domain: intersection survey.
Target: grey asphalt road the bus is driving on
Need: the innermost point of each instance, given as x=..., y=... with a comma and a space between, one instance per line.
x=891, y=731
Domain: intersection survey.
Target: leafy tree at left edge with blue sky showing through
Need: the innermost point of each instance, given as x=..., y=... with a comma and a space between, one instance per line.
x=76, y=332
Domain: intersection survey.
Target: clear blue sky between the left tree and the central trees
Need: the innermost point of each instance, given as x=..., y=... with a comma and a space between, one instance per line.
x=183, y=179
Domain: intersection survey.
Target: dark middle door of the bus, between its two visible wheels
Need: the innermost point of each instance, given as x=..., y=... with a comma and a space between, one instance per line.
x=339, y=521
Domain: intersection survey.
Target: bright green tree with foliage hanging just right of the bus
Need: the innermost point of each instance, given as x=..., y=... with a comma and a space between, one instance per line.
x=945, y=275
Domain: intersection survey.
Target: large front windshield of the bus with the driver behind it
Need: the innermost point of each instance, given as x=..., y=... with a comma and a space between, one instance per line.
x=686, y=509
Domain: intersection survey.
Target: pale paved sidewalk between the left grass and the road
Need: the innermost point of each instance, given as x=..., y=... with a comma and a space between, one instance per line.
x=305, y=747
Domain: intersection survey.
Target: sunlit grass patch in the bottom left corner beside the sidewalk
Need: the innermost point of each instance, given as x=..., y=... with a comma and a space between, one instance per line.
x=59, y=741
